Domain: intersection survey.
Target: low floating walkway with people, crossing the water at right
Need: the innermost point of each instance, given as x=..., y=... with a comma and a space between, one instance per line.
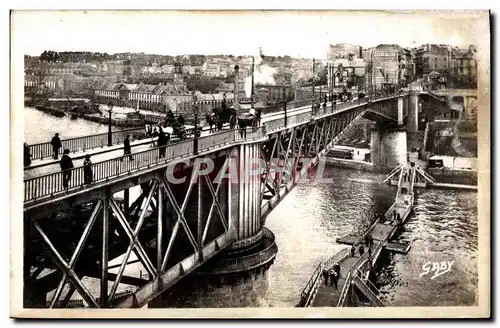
x=355, y=267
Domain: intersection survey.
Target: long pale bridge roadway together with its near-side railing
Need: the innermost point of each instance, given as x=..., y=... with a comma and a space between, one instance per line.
x=48, y=182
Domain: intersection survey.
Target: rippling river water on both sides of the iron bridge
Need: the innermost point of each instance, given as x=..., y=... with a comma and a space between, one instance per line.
x=443, y=227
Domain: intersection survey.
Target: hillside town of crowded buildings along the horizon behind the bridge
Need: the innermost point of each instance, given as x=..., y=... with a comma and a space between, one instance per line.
x=161, y=82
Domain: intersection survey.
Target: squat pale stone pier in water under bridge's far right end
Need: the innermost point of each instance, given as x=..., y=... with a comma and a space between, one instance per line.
x=388, y=147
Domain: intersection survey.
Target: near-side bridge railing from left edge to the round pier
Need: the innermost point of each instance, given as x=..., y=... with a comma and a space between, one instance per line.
x=51, y=184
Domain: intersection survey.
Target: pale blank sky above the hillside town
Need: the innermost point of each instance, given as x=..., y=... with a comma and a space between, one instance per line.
x=298, y=34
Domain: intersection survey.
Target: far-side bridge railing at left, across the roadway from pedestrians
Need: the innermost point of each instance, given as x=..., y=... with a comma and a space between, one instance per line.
x=43, y=150
